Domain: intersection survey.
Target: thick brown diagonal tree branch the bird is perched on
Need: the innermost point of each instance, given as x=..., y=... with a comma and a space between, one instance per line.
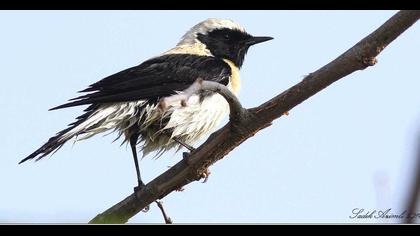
x=221, y=142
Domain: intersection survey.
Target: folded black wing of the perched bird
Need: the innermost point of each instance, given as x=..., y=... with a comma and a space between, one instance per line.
x=153, y=79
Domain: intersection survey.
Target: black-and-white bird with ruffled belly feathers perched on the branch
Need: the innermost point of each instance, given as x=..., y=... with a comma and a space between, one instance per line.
x=127, y=102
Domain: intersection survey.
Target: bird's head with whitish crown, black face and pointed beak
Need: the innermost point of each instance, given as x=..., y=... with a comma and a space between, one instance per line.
x=223, y=38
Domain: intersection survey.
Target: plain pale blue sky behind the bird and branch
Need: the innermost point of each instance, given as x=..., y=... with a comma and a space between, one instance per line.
x=349, y=146
